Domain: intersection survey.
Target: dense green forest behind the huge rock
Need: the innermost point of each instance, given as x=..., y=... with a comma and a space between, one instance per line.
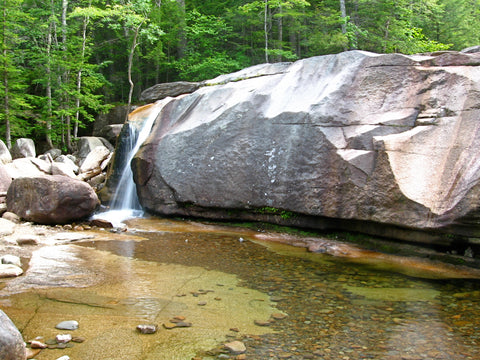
x=63, y=62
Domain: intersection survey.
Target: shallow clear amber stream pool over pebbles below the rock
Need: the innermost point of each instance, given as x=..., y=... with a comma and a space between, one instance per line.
x=226, y=284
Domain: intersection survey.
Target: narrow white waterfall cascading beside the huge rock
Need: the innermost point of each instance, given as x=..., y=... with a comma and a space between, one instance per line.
x=125, y=204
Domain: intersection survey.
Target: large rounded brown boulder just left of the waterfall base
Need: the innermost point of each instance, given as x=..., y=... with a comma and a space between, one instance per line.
x=51, y=199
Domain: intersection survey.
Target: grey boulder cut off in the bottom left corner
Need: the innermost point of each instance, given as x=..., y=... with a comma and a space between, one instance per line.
x=12, y=346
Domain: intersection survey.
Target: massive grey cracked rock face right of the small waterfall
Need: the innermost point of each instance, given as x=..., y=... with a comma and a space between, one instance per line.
x=389, y=139
